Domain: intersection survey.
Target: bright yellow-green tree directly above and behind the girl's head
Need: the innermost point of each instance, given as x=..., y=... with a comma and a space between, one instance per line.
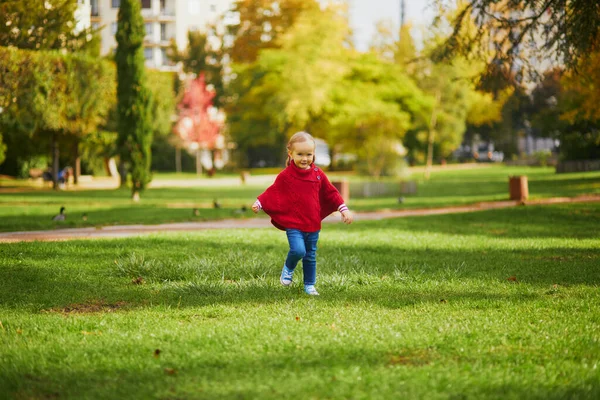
x=287, y=88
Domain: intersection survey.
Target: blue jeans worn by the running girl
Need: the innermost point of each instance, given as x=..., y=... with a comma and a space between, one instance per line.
x=303, y=246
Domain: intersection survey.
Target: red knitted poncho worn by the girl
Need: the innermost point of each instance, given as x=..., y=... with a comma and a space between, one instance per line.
x=300, y=199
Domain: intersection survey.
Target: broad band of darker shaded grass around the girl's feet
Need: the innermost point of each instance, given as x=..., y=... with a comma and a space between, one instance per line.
x=376, y=276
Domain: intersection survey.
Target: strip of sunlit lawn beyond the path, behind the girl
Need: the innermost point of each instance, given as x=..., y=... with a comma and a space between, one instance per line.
x=23, y=208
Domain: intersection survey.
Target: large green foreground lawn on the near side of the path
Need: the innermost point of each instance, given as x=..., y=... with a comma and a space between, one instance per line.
x=496, y=304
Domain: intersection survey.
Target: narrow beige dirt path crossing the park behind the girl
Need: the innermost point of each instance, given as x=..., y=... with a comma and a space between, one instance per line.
x=137, y=230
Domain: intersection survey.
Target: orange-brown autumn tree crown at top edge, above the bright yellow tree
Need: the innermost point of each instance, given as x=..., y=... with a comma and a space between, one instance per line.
x=261, y=23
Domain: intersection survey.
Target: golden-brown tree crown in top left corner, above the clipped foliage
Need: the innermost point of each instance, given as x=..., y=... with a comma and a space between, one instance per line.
x=44, y=25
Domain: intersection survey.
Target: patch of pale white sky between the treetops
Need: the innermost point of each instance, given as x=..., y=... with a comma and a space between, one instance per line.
x=364, y=14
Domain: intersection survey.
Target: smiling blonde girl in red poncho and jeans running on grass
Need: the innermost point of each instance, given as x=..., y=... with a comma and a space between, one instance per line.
x=297, y=202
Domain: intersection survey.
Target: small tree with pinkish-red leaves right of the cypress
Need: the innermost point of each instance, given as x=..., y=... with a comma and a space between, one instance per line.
x=196, y=124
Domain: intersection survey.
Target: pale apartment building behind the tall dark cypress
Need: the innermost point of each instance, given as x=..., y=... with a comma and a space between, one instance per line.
x=165, y=20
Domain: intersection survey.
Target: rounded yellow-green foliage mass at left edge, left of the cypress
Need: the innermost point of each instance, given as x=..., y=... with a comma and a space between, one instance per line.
x=46, y=94
